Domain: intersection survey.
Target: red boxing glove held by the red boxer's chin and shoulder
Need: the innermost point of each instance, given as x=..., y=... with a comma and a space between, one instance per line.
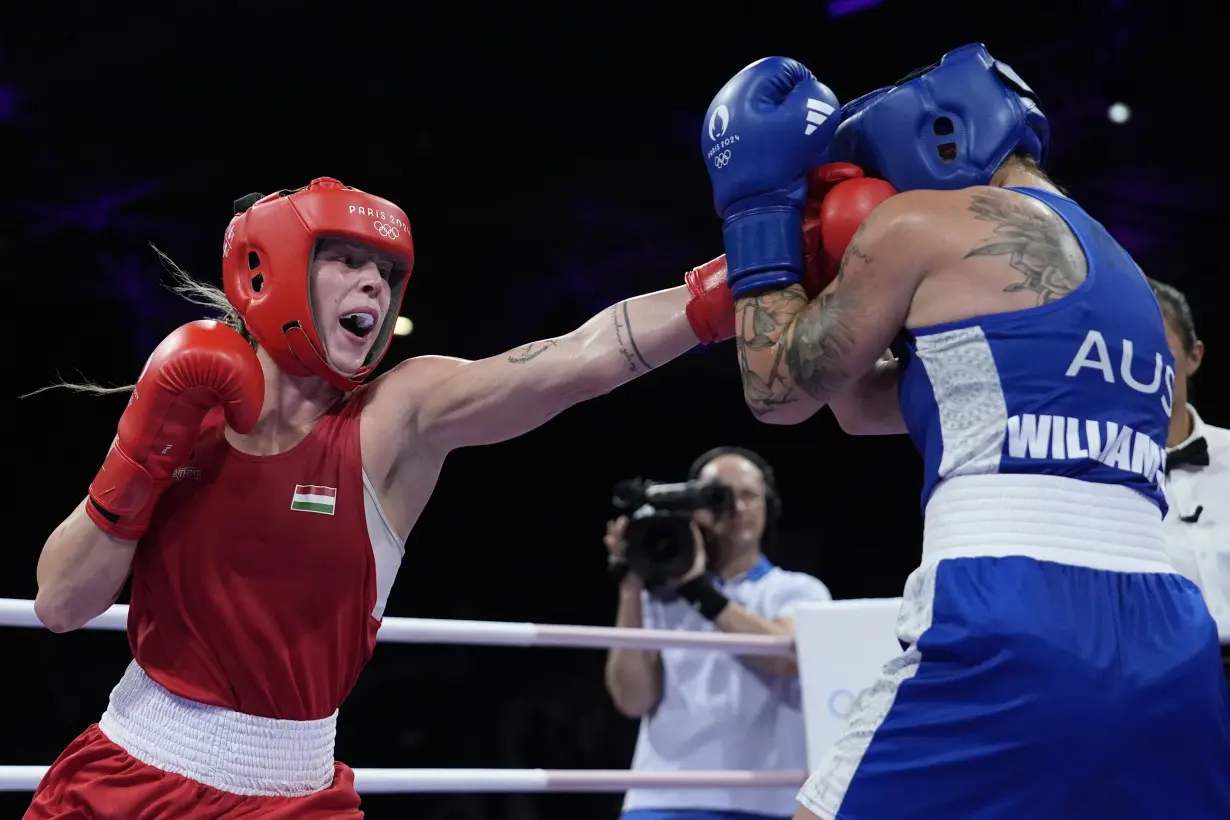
x=199, y=367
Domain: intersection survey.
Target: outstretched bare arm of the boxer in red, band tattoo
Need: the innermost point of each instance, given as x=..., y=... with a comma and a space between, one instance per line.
x=482, y=403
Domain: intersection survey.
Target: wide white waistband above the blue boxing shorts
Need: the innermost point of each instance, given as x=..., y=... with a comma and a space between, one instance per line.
x=1050, y=518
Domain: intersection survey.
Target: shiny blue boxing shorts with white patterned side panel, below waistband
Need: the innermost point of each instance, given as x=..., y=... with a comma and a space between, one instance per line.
x=1039, y=690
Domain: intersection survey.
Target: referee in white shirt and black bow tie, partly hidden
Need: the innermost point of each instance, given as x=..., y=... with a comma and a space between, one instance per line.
x=1197, y=476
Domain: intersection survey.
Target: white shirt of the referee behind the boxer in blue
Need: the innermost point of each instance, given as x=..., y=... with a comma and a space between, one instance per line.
x=1199, y=523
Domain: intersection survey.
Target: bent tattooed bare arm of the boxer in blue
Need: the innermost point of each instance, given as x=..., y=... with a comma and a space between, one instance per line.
x=799, y=356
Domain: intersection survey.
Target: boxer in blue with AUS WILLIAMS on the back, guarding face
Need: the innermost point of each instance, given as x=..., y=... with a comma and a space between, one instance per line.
x=1055, y=664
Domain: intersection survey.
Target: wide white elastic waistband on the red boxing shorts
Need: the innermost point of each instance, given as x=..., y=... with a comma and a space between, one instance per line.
x=236, y=753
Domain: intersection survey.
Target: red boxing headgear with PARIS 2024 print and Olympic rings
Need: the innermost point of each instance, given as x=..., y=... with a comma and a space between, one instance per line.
x=268, y=259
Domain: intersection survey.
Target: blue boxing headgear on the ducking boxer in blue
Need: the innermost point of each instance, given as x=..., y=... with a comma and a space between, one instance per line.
x=944, y=127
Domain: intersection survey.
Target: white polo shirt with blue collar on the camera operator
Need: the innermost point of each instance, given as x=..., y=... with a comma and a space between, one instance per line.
x=719, y=714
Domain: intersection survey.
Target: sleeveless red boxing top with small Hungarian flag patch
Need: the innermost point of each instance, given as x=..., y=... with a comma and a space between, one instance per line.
x=255, y=587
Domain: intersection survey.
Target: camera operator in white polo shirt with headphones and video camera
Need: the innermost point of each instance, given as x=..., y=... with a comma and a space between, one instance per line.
x=691, y=559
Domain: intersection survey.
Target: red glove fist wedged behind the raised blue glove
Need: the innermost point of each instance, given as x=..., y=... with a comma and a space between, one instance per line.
x=839, y=199
